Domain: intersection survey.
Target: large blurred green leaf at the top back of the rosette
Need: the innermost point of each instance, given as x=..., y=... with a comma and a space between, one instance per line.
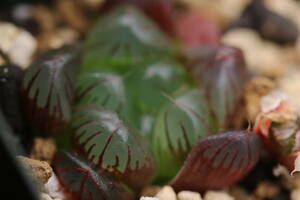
x=123, y=38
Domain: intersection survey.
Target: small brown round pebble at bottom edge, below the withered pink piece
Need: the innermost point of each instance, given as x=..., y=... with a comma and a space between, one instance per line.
x=267, y=189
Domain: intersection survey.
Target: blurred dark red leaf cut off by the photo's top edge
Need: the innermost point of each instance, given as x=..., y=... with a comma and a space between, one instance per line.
x=160, y=11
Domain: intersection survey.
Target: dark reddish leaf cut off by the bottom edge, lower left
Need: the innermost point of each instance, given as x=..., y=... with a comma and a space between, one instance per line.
x=82, y=181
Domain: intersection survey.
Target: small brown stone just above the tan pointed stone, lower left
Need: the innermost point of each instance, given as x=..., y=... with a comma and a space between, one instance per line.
x=43, y=149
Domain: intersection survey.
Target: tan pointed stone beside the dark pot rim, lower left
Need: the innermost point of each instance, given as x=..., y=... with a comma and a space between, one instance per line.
x=40, y=170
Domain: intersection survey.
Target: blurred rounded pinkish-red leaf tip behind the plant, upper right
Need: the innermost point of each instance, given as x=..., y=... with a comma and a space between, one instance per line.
x=194, y=30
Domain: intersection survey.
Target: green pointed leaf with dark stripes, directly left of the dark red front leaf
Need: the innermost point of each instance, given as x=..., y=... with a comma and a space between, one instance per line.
x=178, y=127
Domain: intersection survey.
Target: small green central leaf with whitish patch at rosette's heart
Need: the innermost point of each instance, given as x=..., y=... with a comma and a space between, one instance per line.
x=146, y=87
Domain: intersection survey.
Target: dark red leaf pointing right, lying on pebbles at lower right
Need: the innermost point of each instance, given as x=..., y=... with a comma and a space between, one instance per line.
x=218, y=160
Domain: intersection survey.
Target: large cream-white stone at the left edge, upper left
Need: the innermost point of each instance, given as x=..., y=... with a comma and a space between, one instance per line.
x=18, y=44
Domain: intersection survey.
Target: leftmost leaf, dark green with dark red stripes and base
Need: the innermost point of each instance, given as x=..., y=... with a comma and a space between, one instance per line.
x=48, y=88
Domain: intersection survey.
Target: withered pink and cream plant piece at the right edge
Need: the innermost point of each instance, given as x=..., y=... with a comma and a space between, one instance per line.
x=278, y=127
